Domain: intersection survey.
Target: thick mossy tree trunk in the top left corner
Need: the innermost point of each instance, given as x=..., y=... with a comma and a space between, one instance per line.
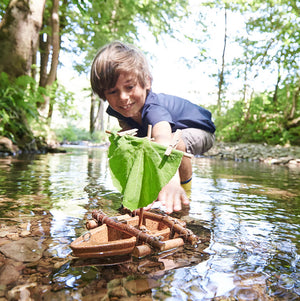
x=19, y=32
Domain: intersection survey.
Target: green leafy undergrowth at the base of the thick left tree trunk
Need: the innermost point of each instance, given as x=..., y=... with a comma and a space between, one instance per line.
x=18, y=107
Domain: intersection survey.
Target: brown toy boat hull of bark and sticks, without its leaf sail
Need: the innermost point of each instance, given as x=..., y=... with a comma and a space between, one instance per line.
x=141, y=234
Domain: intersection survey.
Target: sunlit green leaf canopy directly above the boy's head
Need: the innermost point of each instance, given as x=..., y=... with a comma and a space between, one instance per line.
x=95, y=23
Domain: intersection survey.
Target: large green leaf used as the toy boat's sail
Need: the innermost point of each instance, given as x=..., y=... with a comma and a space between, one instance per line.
x=140, y=169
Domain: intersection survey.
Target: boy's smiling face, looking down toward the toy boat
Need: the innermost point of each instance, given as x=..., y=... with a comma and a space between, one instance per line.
x=128, y=97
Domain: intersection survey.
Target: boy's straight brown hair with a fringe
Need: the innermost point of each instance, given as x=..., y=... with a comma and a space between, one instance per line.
x=112, y=60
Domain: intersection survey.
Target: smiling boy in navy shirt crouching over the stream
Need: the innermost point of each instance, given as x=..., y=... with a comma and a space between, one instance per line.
x=120, y=75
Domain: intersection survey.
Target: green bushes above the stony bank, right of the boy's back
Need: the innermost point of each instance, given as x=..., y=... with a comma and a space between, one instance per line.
x=265, y=122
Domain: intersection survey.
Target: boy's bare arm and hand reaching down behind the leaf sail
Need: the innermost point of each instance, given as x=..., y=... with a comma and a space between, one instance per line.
x=171, y=195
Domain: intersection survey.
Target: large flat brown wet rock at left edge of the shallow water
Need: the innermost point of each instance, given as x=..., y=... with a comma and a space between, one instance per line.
x=25, y=249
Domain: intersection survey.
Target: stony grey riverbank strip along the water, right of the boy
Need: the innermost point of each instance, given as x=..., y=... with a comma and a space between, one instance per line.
x=270, y=154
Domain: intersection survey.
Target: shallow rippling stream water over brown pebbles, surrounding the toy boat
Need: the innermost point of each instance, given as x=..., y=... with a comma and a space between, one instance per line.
x=250, y=210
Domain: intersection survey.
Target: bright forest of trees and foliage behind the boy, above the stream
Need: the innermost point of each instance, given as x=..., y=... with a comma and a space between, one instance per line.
x=253, y=69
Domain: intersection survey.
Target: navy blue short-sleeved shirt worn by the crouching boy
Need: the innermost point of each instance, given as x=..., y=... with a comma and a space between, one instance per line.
x=179, y=112
